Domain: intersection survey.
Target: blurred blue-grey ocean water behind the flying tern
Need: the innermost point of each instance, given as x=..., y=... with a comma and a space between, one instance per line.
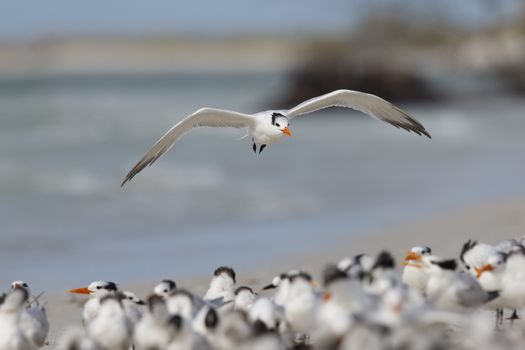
x=67, y=142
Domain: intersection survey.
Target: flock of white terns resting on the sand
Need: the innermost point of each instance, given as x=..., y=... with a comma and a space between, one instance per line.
x=362, y=303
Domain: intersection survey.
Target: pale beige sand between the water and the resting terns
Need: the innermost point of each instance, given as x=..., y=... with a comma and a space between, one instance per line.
x=445, y=233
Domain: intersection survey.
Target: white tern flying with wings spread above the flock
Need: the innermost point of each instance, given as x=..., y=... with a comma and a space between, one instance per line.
x=268, y=127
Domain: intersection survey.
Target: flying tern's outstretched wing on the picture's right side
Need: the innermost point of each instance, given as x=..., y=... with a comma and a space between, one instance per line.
x=370, y=104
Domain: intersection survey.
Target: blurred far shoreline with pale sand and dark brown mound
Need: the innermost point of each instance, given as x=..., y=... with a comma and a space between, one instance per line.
x=397, y=62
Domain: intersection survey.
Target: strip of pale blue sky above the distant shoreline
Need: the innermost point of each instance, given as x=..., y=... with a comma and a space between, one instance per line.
x=42, y=18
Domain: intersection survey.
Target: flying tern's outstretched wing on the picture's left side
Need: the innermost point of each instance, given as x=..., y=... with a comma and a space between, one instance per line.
x=210, y=117
